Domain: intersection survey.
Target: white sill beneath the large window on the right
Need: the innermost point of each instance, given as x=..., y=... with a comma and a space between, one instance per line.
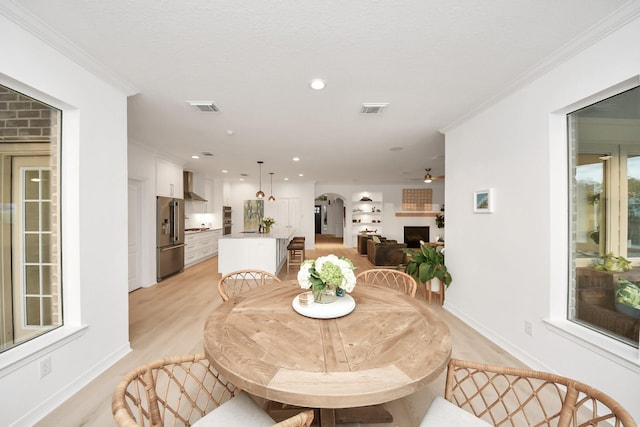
x=616, y=351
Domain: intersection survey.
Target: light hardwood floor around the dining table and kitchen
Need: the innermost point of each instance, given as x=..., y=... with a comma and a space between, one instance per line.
x=167, y=319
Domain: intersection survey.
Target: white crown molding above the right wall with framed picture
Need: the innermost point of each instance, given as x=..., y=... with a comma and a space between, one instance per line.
x=616, y=20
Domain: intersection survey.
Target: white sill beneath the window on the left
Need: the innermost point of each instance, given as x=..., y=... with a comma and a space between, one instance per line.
x=15, y=358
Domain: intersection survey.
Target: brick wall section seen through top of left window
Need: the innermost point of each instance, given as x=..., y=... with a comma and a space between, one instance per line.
x=22, y=119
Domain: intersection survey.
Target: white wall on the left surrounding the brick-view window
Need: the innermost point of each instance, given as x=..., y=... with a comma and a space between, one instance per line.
x=94, y=230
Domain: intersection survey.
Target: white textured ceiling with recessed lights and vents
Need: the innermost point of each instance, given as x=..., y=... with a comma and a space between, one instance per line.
x=433, y=61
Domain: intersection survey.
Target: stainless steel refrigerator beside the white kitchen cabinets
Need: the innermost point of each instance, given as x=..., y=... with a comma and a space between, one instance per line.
x=169, y=236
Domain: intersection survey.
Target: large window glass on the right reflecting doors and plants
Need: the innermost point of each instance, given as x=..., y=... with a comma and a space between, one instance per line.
x=605, y=214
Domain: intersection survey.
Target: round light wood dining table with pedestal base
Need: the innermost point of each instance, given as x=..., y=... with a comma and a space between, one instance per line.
x=388, y=347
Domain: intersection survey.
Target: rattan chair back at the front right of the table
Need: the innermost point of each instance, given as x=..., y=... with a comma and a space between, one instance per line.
x=504, y=396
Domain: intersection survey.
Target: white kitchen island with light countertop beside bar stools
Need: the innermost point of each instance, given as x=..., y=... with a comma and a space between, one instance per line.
x=254, y=251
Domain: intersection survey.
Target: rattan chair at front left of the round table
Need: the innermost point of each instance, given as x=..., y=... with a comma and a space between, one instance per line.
x=179, y=391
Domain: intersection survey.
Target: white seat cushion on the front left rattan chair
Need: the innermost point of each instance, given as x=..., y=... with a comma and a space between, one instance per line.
x=239, y=411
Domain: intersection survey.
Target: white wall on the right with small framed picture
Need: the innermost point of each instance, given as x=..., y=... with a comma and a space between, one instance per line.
x=511, y=266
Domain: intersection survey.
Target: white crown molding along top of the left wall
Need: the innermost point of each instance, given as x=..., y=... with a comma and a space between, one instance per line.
x=13, y=11
